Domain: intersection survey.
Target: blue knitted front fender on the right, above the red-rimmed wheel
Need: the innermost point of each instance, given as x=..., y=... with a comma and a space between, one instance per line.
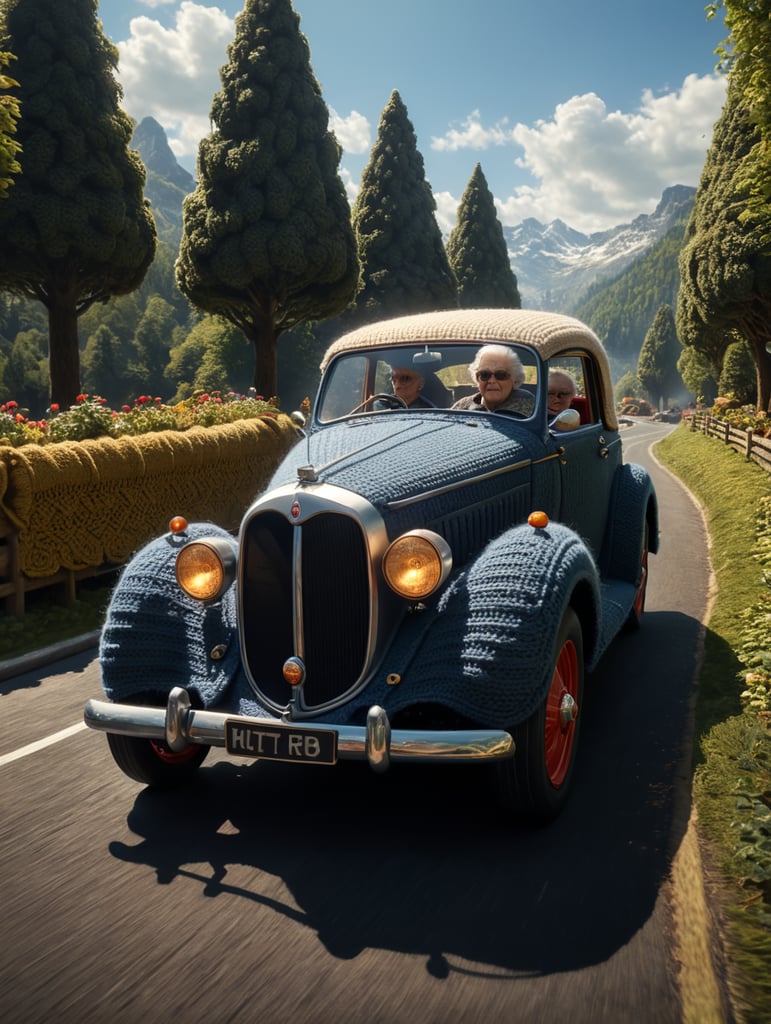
x=488, y=649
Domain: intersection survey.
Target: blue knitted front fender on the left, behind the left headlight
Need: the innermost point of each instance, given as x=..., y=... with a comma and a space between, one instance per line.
x=156, y=637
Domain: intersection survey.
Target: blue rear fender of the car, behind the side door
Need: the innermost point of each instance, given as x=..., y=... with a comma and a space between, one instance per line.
x=632, y=500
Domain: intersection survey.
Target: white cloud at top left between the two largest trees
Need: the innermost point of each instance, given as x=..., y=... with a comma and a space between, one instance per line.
x=174, y=74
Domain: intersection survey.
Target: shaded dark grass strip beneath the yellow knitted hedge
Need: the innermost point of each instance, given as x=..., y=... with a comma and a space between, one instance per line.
x=49, y=620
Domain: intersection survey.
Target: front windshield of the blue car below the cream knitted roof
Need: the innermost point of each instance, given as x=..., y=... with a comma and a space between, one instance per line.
x=422, y=377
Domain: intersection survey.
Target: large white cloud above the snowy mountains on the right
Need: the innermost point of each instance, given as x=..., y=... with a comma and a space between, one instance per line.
x=594, y=168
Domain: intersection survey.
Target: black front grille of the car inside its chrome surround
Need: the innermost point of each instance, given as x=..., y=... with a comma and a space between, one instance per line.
x=335, y=605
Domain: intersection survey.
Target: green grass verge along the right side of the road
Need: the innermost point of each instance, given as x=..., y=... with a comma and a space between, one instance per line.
x=733, y=755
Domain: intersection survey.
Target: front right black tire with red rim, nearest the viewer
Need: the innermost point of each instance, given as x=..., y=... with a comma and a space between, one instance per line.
x=536, y=783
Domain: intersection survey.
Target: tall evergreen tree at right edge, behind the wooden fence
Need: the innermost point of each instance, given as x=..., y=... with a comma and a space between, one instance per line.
x=725, y=266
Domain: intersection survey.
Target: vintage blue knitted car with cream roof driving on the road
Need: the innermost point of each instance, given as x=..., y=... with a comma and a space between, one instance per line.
x=417, y=584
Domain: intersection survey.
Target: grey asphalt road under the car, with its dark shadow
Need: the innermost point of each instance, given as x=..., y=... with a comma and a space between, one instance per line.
x=313, y=895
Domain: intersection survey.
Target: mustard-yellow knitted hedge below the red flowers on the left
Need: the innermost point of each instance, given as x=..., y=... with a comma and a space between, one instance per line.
x=78, y=504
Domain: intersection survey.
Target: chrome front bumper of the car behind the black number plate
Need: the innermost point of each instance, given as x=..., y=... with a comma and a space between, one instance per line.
x=179, y=726
